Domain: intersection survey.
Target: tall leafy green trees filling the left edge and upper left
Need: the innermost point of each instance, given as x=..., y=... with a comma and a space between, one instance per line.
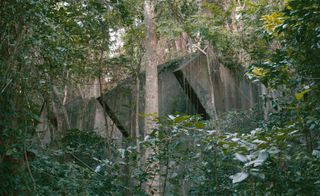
x=43, y=45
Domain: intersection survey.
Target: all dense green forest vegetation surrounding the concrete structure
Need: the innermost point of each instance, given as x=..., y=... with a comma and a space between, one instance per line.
x=46, y=46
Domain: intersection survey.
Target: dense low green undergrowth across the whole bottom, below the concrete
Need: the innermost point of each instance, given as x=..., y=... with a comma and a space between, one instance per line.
x=188, y=156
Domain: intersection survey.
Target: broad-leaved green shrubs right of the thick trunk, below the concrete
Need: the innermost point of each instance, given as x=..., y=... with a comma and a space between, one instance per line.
x=199, y=161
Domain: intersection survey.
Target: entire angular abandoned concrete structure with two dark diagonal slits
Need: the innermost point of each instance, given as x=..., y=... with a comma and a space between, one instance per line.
x=195, y=84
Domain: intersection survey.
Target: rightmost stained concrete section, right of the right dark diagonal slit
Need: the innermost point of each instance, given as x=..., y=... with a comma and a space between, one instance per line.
x=231, y=90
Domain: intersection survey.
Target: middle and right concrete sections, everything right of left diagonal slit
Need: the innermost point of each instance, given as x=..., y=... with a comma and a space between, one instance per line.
x=189, y=86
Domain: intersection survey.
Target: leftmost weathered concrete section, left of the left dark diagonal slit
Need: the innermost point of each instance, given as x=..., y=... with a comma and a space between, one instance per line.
x=83, y=114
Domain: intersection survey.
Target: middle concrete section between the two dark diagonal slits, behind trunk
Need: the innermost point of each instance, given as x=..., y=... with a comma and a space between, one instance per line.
x=122, y=99
